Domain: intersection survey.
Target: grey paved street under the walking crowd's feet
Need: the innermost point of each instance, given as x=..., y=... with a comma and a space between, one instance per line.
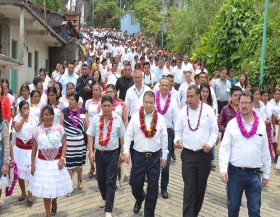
x=86, y=202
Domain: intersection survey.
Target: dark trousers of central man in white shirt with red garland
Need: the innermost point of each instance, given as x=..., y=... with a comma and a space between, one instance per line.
x=142, y=165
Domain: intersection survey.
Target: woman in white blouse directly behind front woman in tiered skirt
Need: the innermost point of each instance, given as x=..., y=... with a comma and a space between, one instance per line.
x=53, y=101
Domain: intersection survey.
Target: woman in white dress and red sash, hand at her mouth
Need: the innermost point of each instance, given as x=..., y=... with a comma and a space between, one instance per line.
x=24, y=124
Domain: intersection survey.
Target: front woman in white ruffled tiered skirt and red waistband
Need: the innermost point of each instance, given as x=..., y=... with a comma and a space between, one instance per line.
x=50, y=179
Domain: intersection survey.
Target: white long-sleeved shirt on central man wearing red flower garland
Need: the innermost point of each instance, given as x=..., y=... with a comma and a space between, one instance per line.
x=143, y=144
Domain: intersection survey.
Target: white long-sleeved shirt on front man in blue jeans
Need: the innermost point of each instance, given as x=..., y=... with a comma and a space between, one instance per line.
x=243, y=152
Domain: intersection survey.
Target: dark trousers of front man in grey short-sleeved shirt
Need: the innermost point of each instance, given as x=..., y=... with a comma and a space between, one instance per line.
x=107, y=168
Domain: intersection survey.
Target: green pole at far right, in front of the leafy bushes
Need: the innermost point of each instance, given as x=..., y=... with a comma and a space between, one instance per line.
x=263, y=43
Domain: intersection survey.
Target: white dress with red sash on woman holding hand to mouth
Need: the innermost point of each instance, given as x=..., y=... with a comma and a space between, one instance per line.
x=23, y=145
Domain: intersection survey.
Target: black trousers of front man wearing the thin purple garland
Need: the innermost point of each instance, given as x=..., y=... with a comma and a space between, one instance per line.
x=196, y=168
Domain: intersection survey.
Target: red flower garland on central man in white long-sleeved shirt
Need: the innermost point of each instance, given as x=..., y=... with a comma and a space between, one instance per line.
x=148, y=133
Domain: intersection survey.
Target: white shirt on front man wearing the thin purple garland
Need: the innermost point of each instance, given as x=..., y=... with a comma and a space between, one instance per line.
x=206, y=133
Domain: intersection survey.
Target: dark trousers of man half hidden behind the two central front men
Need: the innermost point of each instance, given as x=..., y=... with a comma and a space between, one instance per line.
x=165, y=171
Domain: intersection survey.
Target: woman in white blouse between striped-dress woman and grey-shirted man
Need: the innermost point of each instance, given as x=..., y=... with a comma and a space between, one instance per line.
x=93, y=106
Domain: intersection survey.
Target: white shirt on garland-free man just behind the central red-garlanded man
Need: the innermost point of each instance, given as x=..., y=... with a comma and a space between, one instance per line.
x=134, y=98
